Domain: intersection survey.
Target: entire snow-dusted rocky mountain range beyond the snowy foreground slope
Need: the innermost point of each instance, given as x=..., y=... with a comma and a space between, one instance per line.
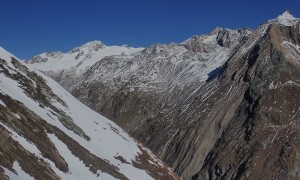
x=220, y=106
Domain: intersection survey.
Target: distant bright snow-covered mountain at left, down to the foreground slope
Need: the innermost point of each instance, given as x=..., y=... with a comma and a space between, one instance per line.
x=69, y=68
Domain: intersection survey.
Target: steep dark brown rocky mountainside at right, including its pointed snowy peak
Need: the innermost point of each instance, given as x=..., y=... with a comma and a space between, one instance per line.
x=262, y=139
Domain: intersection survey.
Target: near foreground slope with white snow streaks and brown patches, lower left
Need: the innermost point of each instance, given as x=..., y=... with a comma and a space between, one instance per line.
x=60, y=116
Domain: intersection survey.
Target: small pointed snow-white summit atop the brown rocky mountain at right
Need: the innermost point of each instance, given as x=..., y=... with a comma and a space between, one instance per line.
x=286, y=19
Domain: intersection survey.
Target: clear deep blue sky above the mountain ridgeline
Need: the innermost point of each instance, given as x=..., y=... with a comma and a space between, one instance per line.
x=30, y=27
